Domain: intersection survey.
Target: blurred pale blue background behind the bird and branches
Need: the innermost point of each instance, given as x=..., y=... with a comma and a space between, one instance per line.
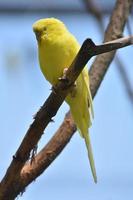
x=23, y=90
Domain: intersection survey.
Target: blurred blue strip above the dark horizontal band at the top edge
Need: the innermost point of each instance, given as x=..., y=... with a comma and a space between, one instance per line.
x=56, y=4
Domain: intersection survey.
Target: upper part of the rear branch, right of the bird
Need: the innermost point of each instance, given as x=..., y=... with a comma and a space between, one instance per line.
x=113, y=31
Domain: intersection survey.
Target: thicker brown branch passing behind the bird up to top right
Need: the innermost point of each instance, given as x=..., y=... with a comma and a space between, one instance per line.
x=67, y=129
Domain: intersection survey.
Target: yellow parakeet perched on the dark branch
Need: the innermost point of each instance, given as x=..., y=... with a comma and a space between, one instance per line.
x=57, y=48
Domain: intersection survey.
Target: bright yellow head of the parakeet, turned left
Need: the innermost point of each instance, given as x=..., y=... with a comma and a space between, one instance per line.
x=46, y=28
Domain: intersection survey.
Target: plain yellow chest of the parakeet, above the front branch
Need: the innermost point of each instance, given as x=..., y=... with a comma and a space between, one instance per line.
x=53, y=59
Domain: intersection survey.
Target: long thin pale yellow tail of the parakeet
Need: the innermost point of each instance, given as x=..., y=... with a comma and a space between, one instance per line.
x=90, y=155
